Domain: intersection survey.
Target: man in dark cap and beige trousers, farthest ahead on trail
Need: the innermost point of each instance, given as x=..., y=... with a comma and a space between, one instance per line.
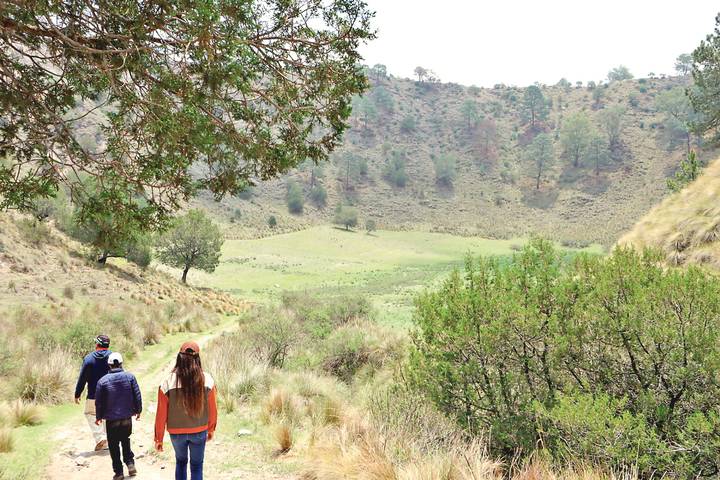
x=94, y=367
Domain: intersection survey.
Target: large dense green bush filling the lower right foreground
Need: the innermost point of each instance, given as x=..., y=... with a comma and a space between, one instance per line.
x=522, y=350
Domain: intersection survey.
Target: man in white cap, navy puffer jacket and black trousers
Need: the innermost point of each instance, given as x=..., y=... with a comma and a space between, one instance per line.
x=117, y=399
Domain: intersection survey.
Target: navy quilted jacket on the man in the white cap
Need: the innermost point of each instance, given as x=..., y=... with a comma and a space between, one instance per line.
x=117, y=396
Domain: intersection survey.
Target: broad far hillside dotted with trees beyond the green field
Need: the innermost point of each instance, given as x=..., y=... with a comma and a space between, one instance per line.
x=494, y=191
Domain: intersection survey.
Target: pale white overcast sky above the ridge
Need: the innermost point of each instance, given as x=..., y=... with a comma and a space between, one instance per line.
x=520, y=42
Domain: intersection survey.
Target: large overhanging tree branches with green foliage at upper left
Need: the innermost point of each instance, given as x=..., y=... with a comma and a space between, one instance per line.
x=219, y=88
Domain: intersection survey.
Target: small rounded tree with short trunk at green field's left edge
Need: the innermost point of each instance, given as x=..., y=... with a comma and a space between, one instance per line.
x=193, y=241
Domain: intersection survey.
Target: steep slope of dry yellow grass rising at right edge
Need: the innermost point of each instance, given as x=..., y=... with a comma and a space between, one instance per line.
x=686, y=226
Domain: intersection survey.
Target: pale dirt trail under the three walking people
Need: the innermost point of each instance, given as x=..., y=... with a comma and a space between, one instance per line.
x=76, y=460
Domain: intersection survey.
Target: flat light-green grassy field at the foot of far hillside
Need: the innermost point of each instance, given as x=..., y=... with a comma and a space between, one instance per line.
x=390, y=267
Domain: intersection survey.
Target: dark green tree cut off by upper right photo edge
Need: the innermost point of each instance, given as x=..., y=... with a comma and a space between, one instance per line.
x=706, y=75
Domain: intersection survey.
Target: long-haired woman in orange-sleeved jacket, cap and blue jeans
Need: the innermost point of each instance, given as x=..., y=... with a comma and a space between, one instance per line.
x=187, y=408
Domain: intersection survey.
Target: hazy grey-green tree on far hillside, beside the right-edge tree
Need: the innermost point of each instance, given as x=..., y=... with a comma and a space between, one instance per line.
x=680, y=117
